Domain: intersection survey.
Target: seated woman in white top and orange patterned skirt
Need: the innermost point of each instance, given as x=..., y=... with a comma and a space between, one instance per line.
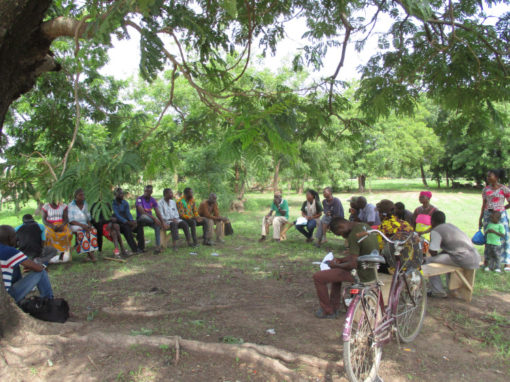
x=58, y=233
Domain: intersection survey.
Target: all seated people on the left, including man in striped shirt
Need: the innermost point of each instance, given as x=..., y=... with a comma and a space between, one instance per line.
x=34, y=245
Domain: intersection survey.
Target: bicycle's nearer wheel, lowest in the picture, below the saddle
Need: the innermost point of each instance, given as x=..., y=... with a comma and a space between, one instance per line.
x=361, y=354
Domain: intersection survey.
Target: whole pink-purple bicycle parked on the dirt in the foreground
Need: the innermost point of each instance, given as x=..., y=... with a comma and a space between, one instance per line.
x=369, y=323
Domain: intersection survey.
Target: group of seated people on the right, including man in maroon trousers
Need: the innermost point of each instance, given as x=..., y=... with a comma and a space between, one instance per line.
x=448, y=244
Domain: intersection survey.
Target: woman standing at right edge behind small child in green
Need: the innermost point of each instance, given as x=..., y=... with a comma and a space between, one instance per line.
x=494, y=196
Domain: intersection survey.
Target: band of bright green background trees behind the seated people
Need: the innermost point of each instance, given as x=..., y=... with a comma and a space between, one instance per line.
x=280, y=139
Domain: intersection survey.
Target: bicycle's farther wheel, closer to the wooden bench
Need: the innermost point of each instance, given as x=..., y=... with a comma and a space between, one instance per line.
x=411, y=307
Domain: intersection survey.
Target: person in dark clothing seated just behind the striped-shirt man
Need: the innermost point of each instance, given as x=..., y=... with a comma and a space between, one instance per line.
x=31, y=238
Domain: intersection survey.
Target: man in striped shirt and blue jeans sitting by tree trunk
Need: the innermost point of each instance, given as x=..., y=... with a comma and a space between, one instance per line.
x=10, y=260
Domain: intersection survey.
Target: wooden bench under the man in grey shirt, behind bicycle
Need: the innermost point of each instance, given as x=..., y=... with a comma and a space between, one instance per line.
x=462, y=280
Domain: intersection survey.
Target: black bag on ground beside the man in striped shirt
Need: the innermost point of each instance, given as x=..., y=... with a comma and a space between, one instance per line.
x=53, y=310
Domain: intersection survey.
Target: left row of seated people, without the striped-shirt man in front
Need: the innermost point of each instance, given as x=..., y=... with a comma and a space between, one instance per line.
x=62, y=222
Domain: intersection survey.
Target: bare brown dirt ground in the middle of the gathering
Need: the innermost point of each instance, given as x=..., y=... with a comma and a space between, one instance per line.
x=200, y=298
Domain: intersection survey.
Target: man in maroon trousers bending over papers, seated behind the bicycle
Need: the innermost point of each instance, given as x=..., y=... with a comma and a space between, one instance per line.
x=341, y=267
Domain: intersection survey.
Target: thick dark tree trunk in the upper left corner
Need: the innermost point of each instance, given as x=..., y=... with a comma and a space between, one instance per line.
x=24, y=49
